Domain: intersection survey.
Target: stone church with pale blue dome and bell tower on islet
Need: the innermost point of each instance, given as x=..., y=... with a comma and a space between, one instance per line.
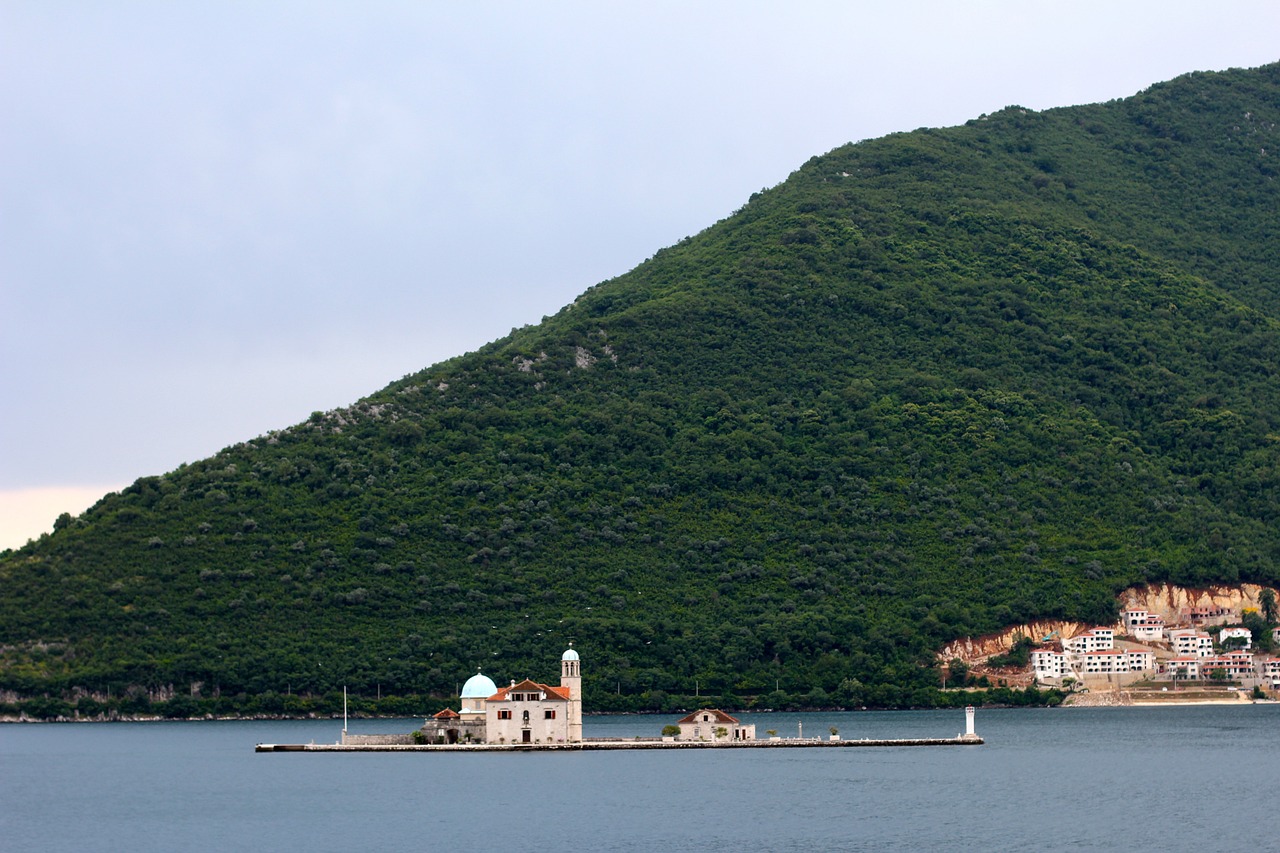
x=523, y=713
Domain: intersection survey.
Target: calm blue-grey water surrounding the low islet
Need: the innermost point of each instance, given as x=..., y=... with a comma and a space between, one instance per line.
x=1174, y=779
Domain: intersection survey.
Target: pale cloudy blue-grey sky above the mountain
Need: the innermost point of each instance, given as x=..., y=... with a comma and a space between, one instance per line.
x=220, y=218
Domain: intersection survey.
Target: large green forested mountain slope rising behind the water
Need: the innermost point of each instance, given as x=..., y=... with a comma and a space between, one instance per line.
x=930, y=386
